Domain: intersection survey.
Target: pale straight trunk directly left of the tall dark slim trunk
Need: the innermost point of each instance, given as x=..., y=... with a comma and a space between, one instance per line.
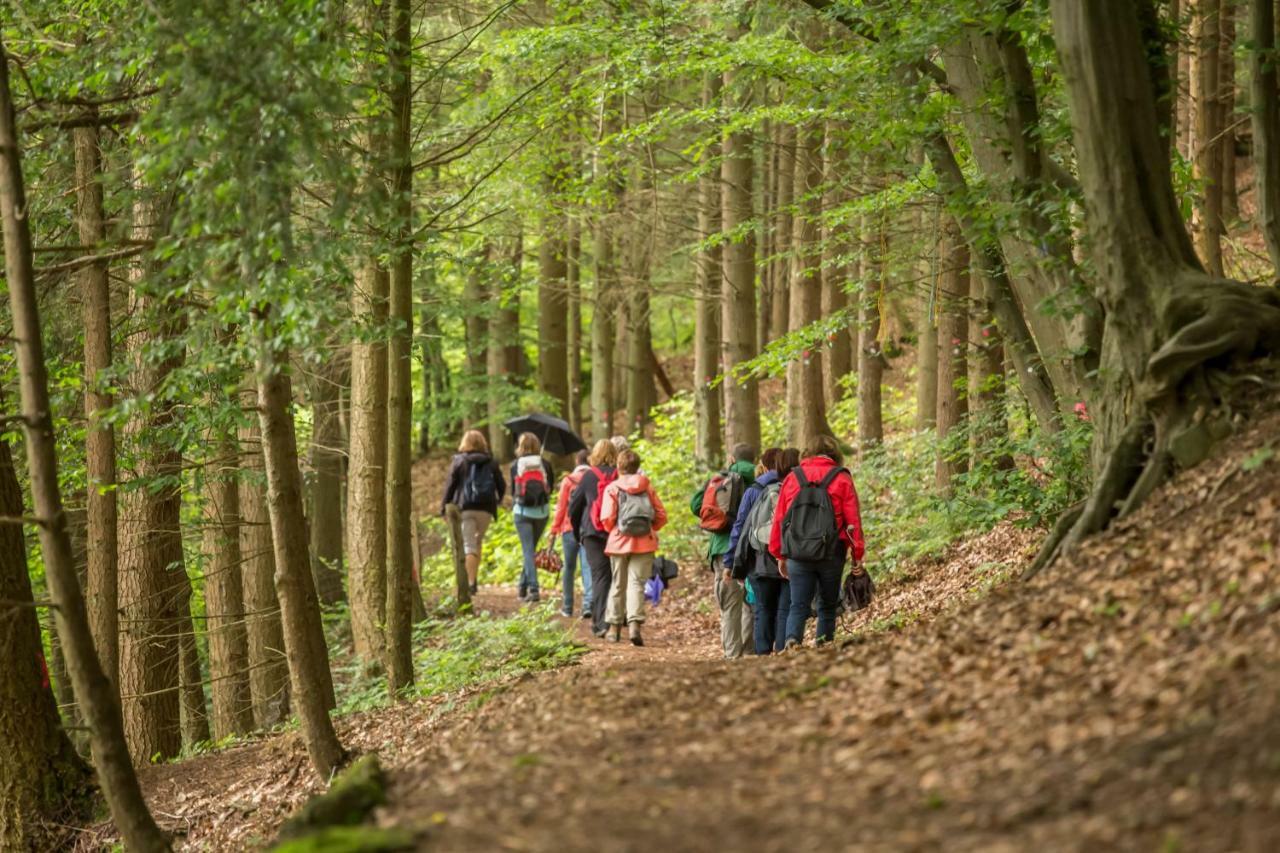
x=367, y=472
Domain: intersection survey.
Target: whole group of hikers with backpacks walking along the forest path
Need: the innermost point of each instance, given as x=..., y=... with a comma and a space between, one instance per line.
x=780, y=531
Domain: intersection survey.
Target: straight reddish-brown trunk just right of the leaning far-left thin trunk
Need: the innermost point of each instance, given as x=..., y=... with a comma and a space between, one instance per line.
x=102, y=586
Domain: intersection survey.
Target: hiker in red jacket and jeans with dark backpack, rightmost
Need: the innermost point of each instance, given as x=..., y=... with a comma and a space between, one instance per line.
x=816, y=526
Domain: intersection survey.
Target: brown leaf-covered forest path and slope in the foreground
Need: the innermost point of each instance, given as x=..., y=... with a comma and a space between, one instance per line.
x=1135, y=705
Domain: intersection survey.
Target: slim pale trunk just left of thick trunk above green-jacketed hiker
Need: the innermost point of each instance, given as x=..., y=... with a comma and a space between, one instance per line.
x=708, y=446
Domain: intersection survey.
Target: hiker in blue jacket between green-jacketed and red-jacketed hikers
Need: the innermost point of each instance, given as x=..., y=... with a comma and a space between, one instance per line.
x=749, y=560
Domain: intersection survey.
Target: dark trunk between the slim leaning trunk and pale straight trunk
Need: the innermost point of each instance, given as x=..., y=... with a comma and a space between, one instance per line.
x=327, y=459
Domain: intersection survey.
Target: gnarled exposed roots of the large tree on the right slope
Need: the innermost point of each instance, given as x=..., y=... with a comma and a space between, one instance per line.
x=1214, y=326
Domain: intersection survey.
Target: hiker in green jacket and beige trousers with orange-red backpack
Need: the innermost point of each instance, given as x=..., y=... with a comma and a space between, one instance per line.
x=716, y=505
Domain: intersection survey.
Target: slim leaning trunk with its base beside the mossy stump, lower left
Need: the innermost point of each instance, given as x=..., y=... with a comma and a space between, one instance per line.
x=300, y=608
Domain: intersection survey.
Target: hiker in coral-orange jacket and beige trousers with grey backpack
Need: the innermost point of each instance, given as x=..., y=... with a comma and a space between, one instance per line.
x=633, y=514
